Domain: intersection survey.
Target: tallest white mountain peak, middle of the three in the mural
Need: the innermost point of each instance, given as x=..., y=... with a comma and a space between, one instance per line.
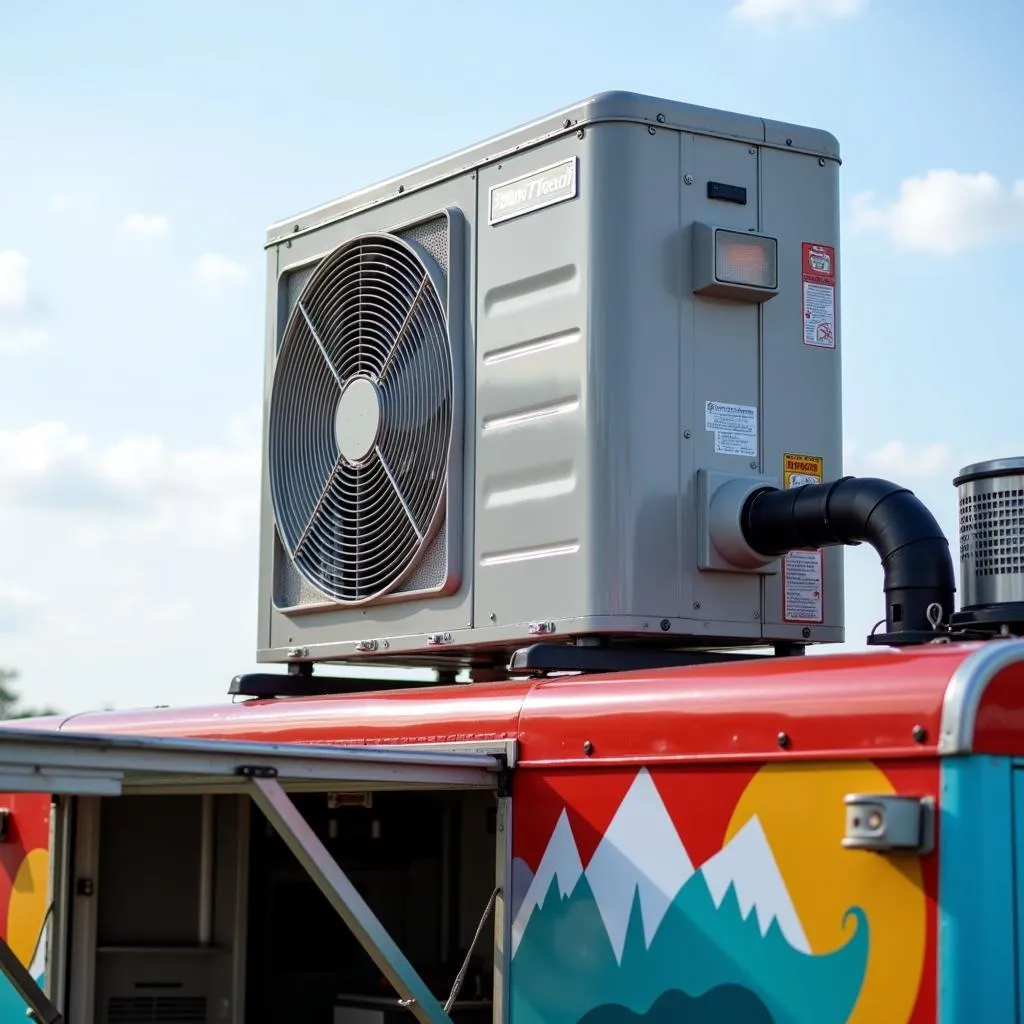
x=641, y=852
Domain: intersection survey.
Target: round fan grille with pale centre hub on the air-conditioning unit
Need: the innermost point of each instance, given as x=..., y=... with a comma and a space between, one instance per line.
x=361, y=419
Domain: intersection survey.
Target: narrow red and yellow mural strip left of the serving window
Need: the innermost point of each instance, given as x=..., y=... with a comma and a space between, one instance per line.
x=24, y=883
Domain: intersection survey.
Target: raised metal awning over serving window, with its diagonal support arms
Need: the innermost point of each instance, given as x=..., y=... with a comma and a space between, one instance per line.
x=114, y=765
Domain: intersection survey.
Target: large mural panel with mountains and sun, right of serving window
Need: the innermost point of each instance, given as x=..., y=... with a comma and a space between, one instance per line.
x=711, y=897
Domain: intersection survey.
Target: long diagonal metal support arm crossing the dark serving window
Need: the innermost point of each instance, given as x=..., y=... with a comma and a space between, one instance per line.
x=332, y=881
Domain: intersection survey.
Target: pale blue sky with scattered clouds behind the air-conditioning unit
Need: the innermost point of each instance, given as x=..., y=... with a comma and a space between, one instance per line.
x=148, y=147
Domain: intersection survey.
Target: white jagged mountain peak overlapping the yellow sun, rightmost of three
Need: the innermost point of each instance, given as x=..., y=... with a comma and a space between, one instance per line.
x=748, y=863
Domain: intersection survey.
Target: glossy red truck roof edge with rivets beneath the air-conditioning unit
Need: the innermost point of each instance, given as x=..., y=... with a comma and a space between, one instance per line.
x=914, y=702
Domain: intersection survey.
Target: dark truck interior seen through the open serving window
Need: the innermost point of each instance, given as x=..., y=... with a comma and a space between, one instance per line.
x=201, y=907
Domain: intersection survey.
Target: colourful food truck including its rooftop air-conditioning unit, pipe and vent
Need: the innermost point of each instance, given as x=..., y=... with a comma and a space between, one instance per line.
x=559, y=418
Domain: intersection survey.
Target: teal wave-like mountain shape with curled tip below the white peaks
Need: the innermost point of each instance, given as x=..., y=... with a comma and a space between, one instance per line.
x=566, y=968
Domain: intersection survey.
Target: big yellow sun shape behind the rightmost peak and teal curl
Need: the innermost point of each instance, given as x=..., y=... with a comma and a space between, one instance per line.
x=801, y=810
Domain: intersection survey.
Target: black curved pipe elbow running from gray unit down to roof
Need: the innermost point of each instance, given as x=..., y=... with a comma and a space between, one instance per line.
x=914, y=551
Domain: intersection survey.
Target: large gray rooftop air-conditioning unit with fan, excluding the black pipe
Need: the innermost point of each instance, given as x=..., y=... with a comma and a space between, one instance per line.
x=522, y=393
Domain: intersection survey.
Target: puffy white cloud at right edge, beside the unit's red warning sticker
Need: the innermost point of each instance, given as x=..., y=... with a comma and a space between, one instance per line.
x=945, y=212
